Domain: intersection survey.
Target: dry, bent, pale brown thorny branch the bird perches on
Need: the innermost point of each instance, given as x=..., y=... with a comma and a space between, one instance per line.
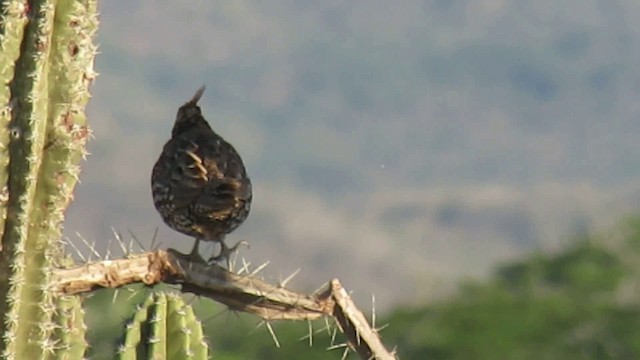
x=239, y=292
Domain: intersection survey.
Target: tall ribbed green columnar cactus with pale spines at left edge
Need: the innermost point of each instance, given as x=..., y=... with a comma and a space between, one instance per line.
x=46, y=67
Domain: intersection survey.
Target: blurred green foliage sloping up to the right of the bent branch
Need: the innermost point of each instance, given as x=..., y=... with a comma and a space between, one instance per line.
x=559, y=306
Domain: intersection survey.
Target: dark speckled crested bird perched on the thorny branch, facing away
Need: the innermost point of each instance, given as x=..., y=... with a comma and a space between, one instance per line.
x=199, y=183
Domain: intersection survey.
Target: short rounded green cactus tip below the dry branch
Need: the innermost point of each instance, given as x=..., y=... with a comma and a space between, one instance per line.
x=163, y=327
